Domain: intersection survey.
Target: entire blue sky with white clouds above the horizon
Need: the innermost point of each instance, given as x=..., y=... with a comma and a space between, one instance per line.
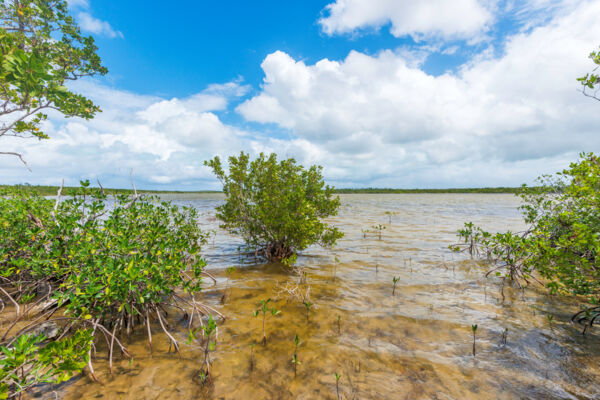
x=381, y=93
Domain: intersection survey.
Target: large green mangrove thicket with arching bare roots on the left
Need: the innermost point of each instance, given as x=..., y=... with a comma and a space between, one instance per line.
x=105, y=261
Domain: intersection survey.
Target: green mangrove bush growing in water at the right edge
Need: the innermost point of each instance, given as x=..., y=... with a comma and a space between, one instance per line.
x=562, y=242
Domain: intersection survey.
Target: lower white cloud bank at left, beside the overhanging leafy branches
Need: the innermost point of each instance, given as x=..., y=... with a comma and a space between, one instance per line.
x=164, y=141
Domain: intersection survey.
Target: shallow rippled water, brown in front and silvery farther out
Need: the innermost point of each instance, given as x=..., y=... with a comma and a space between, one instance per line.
x=416, y=344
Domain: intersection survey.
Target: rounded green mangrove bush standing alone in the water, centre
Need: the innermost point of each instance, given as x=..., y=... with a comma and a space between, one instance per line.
x=277, y=207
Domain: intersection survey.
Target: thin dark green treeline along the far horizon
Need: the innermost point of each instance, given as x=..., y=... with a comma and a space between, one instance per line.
x=52, y=190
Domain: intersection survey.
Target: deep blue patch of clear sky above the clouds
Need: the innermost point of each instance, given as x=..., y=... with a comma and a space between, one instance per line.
x=177, y=54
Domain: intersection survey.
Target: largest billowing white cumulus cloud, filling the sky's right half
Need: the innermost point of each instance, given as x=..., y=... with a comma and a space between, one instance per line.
x=382, y=118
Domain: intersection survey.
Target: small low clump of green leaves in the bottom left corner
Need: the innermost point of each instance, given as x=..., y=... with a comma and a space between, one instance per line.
x=29, y=362
